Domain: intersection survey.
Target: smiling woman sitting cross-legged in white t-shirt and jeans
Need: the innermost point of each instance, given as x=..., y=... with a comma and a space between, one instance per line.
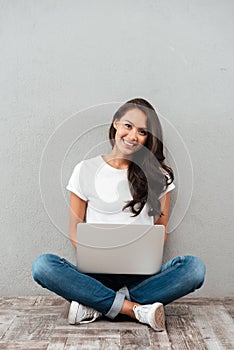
x=131, y=184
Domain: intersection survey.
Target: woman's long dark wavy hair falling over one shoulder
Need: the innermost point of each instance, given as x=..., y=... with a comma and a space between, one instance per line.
x=146, y=178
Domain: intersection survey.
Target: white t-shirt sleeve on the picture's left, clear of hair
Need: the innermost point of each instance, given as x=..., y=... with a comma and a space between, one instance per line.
x=75, y=182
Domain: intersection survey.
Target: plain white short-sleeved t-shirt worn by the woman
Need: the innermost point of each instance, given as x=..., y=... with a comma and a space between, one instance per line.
x=106, y=191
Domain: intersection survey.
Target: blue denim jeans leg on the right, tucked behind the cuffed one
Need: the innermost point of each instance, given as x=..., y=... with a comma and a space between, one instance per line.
x=178, y=277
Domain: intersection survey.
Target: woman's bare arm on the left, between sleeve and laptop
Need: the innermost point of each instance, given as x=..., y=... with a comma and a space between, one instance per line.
x=77, y=215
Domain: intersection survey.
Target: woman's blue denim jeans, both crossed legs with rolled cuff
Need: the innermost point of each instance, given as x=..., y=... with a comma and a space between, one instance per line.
x=106, y=293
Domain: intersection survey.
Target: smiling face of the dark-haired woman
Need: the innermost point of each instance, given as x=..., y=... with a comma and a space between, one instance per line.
x=131, y=132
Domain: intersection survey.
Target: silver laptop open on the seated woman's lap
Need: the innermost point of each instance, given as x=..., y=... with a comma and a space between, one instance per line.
x=119, y=248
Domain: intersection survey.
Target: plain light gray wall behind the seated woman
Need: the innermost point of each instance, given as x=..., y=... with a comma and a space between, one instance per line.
x=62, y=57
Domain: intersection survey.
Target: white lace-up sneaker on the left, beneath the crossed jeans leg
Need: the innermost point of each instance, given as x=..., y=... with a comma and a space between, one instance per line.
x=79, y=313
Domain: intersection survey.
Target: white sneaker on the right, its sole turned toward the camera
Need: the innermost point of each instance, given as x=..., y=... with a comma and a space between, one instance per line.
x=152, y=314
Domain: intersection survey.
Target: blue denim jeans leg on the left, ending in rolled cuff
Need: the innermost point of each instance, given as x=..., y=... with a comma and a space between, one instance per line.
x=61, y=277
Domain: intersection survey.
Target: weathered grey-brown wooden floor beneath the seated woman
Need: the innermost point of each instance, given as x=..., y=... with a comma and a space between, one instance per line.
x=41, y=323
